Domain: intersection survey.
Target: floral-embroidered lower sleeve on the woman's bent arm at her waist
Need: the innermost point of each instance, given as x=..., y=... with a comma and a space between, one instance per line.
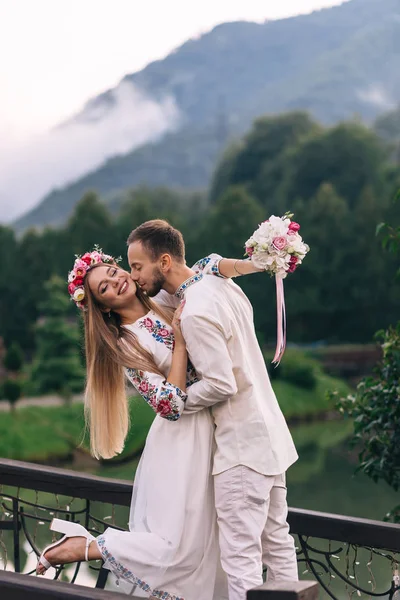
x=167, y=400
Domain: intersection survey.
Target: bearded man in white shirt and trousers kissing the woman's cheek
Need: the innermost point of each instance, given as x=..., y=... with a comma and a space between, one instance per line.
x=253, y=445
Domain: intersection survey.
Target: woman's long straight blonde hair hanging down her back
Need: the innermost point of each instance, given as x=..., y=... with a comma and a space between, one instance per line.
x=110, y=348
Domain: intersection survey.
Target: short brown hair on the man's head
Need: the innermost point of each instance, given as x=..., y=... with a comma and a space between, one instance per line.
x=159, y=237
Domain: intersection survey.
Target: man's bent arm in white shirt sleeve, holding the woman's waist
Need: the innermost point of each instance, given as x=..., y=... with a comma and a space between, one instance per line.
x=207, y=345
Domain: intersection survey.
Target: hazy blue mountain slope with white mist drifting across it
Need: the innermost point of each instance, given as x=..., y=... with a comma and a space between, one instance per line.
x=167, y=124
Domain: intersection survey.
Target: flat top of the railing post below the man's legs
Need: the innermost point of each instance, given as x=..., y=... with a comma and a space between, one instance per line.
x=285, y=590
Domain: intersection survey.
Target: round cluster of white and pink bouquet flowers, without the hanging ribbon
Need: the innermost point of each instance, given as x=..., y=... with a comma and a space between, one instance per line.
x=277, y=246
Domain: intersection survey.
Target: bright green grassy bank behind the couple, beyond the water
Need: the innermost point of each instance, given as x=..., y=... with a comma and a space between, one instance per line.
x=41, y=434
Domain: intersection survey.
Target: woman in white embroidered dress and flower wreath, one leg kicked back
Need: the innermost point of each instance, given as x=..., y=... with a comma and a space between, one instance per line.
x=171, y=549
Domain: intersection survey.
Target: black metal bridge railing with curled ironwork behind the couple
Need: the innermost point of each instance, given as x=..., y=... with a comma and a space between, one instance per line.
x=345, y=555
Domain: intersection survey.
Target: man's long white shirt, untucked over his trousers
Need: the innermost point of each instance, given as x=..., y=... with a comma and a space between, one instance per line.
x=217, y=324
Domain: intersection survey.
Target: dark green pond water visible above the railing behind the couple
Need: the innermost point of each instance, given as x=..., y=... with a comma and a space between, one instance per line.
x=323, y=478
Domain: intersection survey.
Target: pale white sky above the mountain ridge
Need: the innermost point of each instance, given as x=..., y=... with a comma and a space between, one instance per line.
x=56, y=54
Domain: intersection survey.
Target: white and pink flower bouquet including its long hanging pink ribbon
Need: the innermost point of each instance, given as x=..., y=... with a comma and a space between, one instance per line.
x=278, y=248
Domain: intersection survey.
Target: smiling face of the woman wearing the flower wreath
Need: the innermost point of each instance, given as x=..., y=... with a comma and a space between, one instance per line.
x=112, y=287
